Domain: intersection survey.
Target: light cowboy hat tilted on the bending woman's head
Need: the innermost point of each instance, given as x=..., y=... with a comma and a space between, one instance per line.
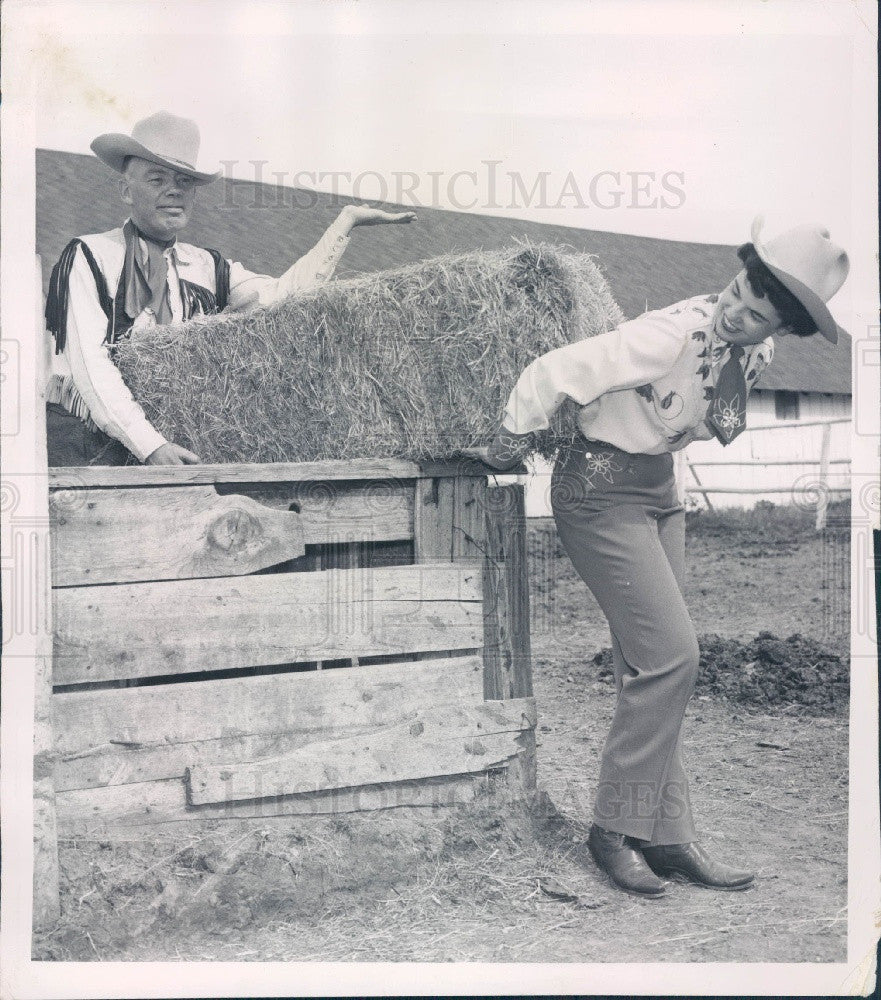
x=810, y=265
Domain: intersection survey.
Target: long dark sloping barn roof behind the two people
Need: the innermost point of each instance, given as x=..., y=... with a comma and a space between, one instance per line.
x=267, y=227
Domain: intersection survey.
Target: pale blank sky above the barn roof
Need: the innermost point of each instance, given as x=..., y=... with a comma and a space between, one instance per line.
x=679, y=119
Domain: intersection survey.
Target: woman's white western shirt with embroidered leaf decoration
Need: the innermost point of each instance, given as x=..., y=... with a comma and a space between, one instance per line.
x=644, y=386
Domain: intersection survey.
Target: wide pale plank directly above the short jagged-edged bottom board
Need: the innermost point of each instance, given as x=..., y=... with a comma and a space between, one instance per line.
x=125, y=735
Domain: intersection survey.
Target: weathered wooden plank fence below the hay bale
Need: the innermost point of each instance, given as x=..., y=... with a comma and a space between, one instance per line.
x=250, y=641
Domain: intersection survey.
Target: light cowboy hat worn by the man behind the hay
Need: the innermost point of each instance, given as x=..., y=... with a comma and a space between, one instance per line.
x=162, y=138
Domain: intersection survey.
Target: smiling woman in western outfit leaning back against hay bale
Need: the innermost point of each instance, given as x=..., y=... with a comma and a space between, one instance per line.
x=646, y=389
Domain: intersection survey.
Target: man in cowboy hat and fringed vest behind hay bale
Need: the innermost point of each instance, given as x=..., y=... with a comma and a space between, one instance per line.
x=139, y=276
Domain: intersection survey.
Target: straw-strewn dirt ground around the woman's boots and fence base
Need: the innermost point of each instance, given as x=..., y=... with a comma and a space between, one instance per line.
x=768, y=768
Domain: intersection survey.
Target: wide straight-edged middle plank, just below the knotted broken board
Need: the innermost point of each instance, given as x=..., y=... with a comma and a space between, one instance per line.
x=182, y=626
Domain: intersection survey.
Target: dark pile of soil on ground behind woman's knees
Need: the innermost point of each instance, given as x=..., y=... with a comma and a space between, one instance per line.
x=766, y=672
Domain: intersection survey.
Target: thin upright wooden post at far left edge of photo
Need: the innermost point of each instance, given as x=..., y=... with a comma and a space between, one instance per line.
x=45, y=879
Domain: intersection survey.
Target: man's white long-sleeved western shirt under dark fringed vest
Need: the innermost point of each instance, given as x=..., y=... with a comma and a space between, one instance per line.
x=83, y=376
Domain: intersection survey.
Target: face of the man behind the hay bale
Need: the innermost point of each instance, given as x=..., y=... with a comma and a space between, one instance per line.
x=161, y=199
